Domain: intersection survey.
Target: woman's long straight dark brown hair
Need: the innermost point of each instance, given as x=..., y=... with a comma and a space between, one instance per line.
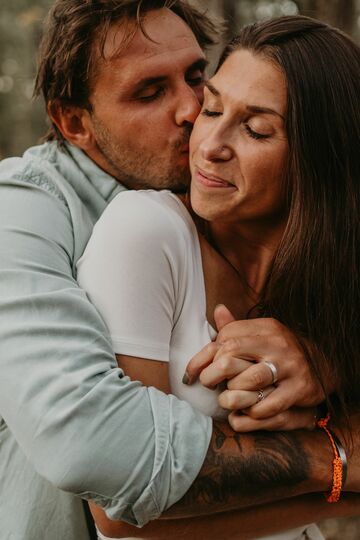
x=314, y=287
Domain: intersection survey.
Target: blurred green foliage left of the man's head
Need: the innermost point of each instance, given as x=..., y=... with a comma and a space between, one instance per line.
x=22, y=121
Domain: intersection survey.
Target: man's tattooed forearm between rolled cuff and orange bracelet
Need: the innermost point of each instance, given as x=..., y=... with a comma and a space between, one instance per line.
x=241, y=470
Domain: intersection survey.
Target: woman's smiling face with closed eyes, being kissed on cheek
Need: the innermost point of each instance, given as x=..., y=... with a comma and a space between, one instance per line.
x=238, y=147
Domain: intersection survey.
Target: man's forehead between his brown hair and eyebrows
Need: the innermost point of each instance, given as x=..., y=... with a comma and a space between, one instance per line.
x=165, y=47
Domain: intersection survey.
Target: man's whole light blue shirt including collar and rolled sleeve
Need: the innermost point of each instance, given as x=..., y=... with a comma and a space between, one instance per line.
x=72, y=425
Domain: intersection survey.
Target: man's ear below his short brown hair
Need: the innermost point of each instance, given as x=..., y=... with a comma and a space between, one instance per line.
x=74, y=123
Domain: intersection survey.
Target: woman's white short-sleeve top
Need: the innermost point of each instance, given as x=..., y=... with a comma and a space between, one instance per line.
x=142, y=269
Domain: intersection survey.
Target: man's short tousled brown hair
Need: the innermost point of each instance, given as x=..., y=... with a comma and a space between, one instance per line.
x=74, y=39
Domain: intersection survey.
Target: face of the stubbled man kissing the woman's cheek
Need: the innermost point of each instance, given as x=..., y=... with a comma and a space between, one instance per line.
x=144, y=102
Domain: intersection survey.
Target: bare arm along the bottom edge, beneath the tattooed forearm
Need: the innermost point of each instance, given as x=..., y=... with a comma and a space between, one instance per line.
x=241, y=524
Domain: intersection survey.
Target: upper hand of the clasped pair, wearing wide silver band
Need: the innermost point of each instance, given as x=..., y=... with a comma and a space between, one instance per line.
x=251, y=355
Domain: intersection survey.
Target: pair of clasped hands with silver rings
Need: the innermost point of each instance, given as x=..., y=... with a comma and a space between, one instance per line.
x=238, y=357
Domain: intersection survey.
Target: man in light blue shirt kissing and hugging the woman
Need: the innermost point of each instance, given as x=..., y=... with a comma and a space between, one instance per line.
x=73, y=427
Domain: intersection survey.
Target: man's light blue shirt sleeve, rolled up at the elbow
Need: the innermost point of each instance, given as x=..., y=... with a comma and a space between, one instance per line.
x=81, y=423
